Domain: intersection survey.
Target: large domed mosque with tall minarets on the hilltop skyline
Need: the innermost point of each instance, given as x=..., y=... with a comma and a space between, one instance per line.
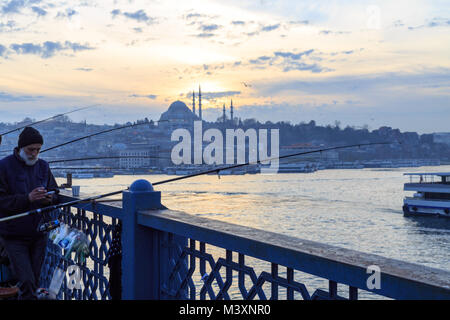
x=180, y=116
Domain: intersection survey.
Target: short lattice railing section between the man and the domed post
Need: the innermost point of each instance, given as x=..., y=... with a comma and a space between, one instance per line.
x=97, y=222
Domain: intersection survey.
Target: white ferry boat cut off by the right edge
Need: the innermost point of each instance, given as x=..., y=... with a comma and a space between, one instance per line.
x=432, y=194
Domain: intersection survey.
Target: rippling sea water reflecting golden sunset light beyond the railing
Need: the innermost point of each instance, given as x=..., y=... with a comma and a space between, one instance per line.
x=359, y=209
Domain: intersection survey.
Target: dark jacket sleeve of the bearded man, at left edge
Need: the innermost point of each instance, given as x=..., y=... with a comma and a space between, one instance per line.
x=11, y=203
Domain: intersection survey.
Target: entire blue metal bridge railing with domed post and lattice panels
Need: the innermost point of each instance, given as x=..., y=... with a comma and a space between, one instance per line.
x=165, y=256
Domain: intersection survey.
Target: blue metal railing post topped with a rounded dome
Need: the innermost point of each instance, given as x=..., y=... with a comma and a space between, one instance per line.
x=140, y=245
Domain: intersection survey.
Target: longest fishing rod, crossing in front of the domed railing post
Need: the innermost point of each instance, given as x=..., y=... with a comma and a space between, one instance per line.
x=93, y=198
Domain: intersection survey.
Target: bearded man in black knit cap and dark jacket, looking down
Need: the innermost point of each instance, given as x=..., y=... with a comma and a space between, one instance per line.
x=24, y=182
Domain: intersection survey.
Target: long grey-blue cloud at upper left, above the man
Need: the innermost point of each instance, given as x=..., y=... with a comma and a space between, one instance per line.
x=48, y=49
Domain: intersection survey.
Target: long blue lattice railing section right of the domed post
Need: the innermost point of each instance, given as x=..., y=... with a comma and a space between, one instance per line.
x=294, y=265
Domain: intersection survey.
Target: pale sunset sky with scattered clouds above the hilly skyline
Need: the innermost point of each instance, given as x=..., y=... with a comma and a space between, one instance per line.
x=361, y=63
